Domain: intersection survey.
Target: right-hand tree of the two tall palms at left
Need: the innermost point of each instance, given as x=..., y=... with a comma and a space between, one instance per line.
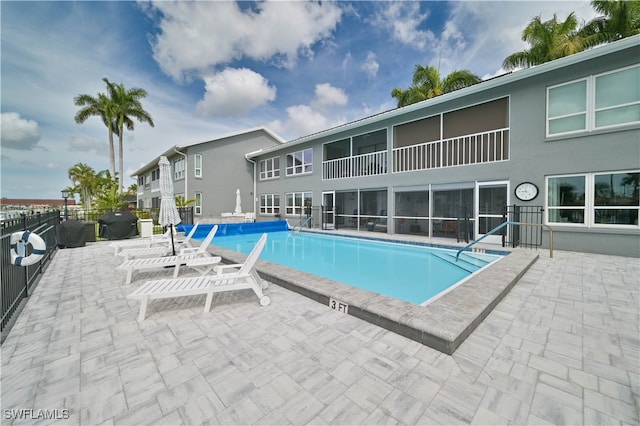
x=126, y=106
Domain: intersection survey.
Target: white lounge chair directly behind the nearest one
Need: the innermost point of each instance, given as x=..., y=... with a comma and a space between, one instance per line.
x=176, y=261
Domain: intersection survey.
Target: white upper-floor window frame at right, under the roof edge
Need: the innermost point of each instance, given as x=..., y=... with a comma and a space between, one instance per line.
x=590, y=107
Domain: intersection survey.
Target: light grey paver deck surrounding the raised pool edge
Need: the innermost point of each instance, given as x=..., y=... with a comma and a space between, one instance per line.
x=562, y=347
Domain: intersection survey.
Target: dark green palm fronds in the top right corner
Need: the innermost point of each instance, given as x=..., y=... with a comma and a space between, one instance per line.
x=619, y=19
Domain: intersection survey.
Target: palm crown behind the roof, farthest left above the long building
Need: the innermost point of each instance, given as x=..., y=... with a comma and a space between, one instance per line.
x=427, y=83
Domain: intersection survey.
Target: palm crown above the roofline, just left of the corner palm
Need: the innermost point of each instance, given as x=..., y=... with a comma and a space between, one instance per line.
x=549, y=40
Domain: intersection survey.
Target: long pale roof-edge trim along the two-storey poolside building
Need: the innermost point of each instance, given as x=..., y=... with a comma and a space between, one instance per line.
x=489, y=84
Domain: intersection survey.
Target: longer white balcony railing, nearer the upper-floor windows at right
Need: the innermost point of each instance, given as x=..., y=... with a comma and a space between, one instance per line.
x=486, y=147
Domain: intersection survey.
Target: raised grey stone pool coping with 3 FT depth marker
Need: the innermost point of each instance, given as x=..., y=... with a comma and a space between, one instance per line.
x=442, y=325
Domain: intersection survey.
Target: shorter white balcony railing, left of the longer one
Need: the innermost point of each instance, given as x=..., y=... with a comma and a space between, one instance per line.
x=371, y=164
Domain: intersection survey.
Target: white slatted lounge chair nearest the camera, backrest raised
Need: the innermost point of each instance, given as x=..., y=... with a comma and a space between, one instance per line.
x=245, y=277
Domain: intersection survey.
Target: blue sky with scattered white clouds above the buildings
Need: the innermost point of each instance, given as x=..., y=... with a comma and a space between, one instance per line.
x=217, y=67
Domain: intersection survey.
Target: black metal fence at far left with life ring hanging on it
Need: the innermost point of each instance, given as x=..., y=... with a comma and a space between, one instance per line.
x=17, y=281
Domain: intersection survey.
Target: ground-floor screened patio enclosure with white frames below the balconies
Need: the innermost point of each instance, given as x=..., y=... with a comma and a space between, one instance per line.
x=460, y=211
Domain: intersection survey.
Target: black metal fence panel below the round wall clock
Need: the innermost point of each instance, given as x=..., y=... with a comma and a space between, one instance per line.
x=521, y=235
